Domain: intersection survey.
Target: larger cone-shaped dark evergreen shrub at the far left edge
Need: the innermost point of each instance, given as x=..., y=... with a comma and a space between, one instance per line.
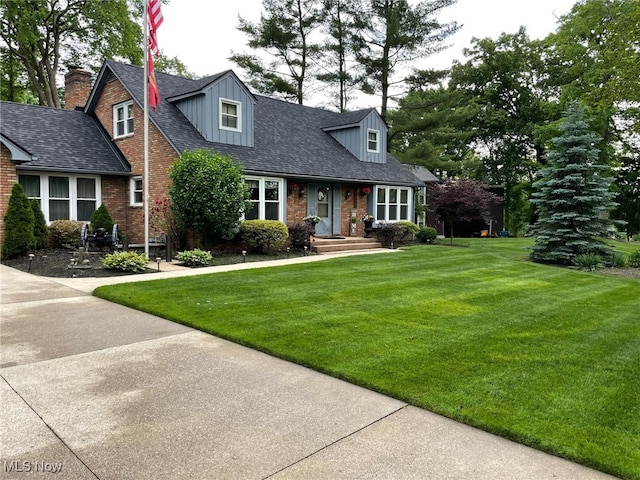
x=18, y=224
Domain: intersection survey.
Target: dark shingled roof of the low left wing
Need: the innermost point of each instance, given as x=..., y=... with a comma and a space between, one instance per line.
x=61, y=140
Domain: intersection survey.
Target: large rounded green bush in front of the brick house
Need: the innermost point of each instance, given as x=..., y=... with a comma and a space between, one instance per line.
x=208, y=194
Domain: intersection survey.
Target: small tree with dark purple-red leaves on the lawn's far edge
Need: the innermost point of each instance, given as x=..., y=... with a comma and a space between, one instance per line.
x=461, y=200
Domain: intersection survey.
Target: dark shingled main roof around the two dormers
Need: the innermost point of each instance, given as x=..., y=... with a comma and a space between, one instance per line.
x=289, y=138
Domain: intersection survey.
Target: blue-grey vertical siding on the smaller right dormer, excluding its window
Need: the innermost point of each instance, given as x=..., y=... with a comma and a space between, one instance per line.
x=355, y=138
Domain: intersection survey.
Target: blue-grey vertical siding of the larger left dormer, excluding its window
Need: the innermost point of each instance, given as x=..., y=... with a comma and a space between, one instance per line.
x=203, y=111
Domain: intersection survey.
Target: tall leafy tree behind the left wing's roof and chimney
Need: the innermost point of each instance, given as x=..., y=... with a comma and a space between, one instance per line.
x=89, y=31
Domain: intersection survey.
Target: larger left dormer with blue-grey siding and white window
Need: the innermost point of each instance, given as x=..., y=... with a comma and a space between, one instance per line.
x=220, y=107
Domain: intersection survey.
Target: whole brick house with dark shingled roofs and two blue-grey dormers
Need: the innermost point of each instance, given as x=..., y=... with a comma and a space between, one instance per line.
x=297, y=160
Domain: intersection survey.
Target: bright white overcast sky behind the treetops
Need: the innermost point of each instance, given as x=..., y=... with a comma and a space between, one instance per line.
x=202, y=33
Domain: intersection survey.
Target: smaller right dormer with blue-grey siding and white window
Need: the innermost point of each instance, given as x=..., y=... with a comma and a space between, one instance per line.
x=363, y=133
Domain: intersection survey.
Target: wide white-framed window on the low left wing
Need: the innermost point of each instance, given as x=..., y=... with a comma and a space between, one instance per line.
x=63, y=197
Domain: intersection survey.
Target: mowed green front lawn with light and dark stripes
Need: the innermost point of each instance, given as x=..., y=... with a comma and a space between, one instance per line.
x=546, y=356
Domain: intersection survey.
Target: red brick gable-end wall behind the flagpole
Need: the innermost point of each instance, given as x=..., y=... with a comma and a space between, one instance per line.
x=116, y=194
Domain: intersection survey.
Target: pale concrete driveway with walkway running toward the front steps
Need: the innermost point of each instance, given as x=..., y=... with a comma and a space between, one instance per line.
x=91, y=390
